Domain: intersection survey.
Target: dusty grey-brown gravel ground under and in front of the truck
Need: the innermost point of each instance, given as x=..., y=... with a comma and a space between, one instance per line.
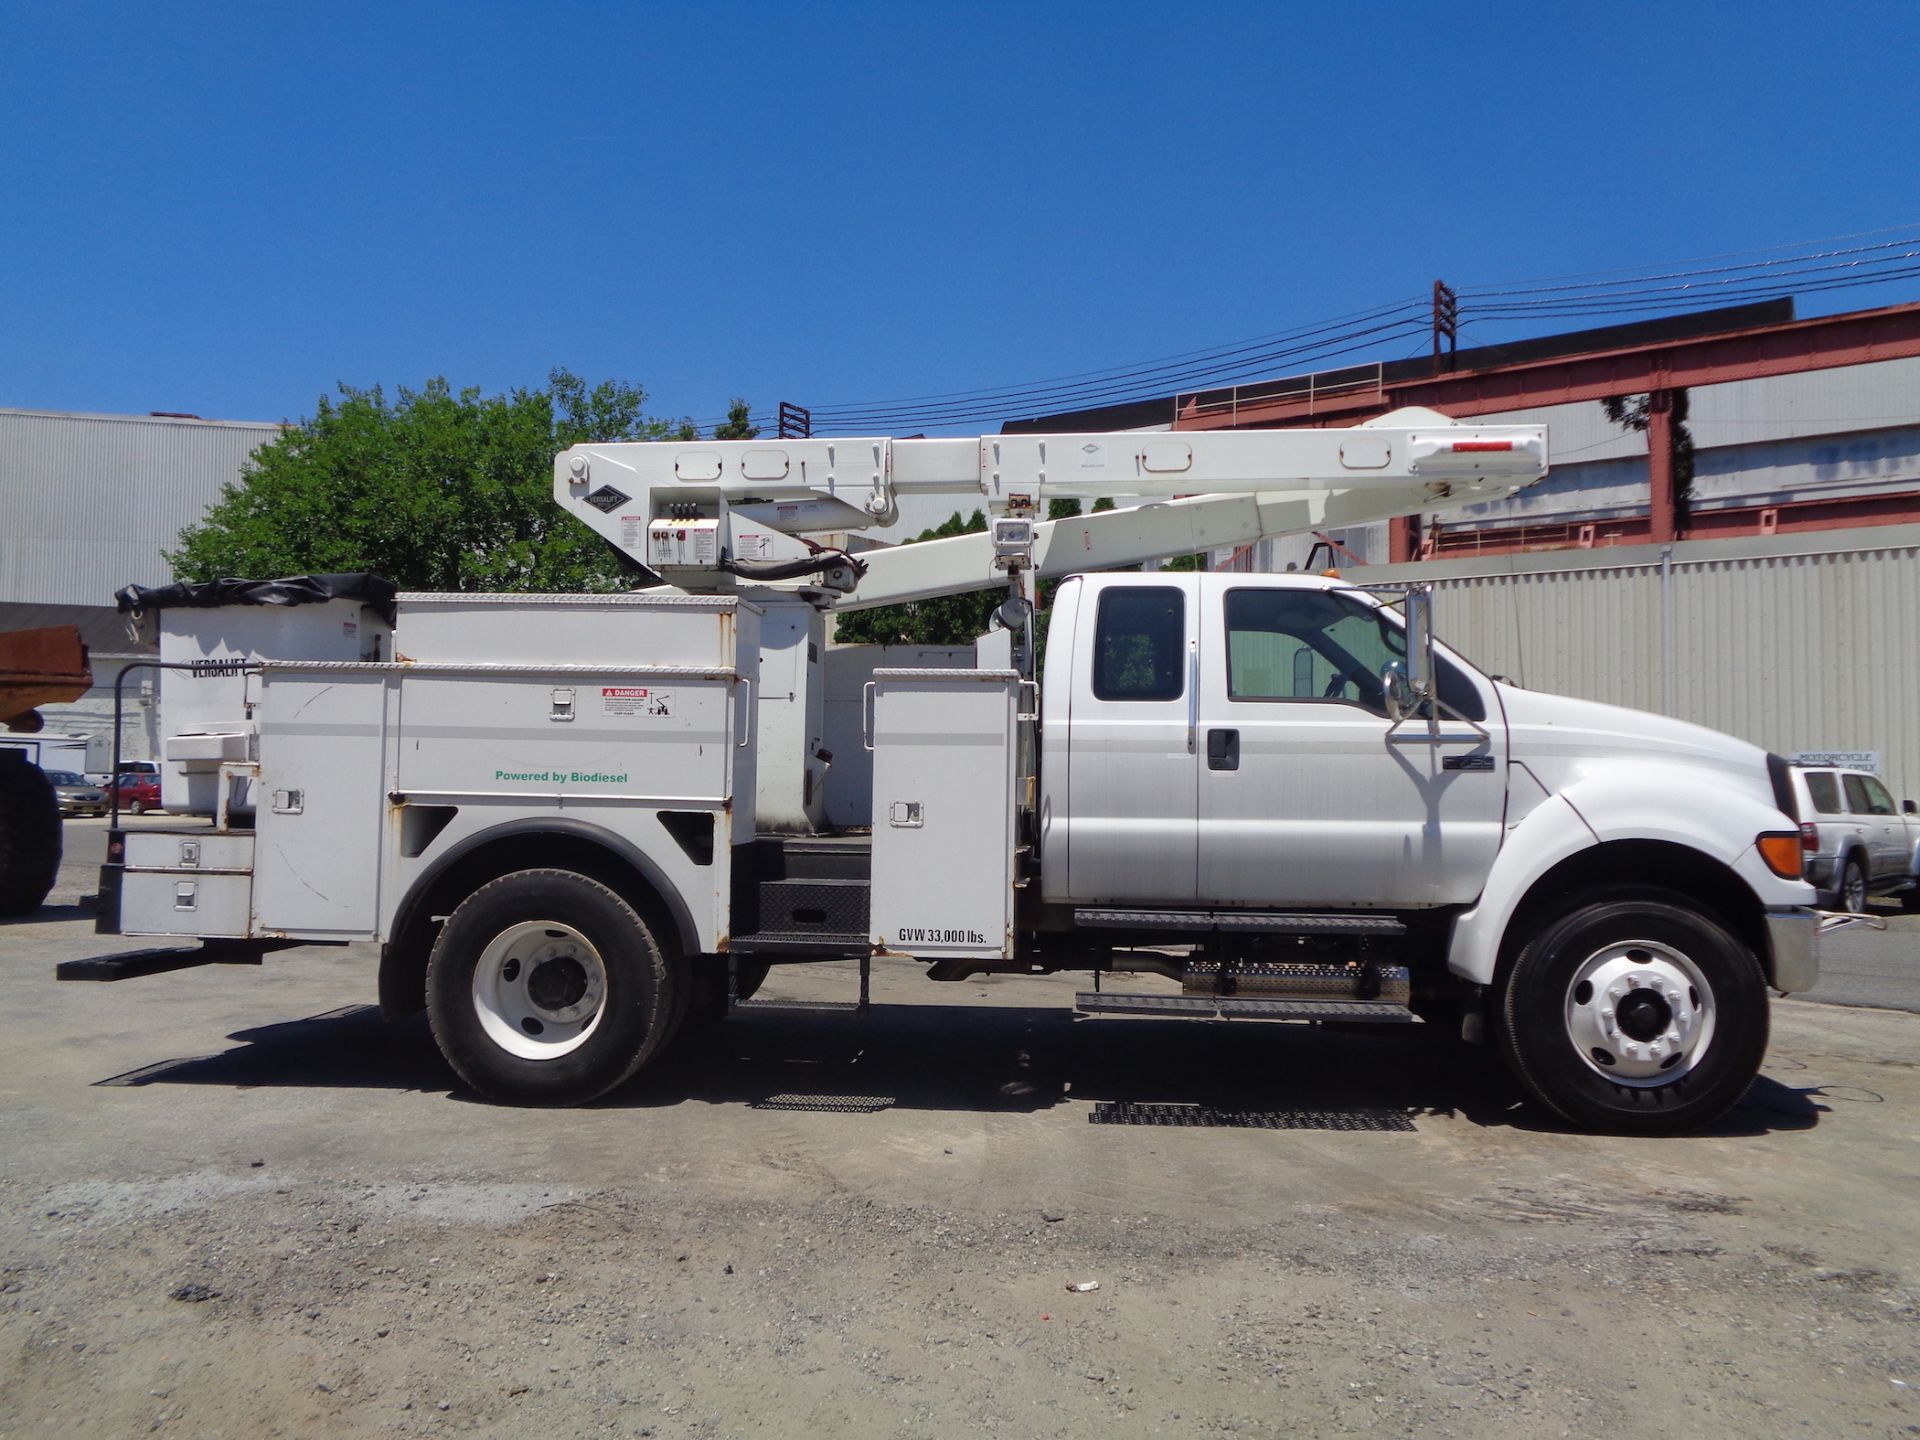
x=237, y=1203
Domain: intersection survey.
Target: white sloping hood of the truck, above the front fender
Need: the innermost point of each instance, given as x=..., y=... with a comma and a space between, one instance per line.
x=1562, y=740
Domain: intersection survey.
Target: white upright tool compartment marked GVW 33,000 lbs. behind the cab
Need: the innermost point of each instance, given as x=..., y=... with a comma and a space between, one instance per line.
x=944, y=811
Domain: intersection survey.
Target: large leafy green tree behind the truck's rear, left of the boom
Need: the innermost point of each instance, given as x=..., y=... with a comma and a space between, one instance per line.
x=435, y=491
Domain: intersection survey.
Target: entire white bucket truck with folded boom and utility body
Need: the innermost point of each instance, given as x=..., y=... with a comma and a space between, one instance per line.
x=579, y=823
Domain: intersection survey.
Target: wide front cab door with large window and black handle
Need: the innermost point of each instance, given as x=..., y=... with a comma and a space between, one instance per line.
x=1308, y=794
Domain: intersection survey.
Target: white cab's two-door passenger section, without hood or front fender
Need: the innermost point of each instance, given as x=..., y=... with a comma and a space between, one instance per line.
x=1226, y=740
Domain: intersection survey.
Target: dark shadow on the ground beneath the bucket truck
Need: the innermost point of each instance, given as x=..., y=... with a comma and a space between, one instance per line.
x=1136, y=1072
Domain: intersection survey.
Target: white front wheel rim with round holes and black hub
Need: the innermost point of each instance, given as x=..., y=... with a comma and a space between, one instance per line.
x=1641, y=1015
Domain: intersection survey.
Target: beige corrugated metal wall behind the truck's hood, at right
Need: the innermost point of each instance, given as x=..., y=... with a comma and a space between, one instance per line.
x=1792, y=642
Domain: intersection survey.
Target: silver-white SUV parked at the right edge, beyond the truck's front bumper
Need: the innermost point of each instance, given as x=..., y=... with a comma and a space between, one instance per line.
x=1860, y=844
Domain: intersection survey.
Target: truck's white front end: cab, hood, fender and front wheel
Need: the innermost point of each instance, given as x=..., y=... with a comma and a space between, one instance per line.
x=1232, y=763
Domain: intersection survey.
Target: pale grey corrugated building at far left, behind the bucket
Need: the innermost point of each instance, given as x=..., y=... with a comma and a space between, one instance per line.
x=87, y=506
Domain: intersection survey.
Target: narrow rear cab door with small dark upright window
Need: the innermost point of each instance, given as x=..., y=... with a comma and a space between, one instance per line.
x=1132, y=821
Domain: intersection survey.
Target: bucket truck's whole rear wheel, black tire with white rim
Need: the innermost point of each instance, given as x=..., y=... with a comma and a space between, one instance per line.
x=585, y=951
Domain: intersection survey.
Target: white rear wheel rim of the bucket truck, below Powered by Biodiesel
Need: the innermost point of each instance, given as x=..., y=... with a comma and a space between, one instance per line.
x=540, y=990
